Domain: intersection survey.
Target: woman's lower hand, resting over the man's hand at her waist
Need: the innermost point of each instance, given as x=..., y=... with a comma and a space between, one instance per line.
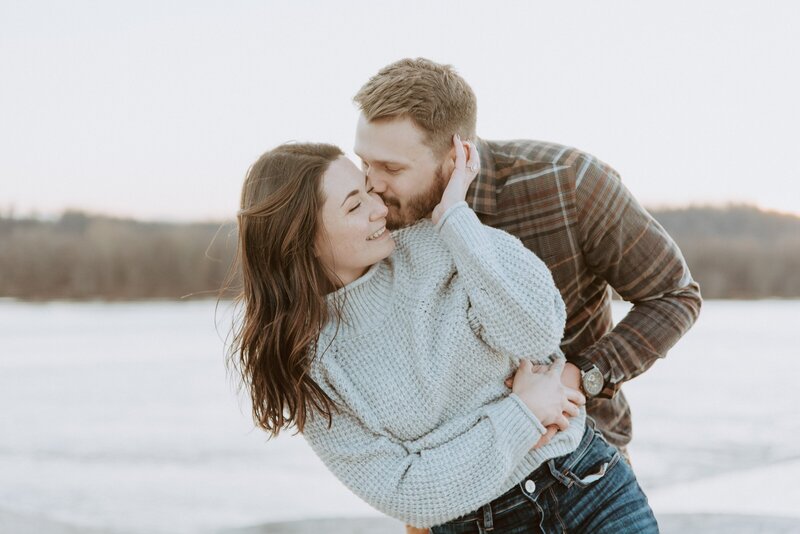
x=542, y=391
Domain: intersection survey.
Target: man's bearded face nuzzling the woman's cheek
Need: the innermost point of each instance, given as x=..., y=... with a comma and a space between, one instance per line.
x=401, y=168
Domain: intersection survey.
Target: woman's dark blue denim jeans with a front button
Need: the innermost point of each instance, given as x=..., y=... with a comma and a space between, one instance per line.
x=590, y=490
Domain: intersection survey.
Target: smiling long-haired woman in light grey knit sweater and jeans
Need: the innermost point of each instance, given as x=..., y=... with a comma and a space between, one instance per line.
x=389, y=353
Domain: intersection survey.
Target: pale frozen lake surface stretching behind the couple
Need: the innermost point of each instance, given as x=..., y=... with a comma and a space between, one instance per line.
x=122, y=416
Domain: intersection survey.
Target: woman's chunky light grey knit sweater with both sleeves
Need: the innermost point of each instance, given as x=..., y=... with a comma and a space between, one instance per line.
x=427, y=431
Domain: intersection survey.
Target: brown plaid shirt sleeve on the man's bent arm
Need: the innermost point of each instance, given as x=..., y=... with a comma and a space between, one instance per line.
x=625, y=246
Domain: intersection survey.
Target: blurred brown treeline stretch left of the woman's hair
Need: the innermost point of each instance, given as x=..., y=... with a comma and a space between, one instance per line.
x=89, y=257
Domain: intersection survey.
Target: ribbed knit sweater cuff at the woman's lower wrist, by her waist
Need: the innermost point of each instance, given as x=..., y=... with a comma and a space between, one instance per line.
x=516, y=427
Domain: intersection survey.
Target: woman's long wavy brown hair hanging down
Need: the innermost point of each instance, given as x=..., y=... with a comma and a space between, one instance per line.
x=283, y=285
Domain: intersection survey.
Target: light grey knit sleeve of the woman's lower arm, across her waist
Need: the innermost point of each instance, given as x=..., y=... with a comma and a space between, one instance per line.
x=430, y=486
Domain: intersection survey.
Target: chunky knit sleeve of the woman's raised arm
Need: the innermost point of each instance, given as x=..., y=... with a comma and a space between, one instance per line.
x=514, y=304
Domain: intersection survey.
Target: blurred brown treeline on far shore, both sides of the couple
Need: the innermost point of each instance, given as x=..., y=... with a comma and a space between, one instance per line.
x=736, y=252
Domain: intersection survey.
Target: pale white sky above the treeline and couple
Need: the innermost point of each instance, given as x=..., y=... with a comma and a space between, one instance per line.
x=155, y=109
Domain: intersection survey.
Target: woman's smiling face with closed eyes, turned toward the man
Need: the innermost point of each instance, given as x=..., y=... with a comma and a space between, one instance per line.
x=353, y=235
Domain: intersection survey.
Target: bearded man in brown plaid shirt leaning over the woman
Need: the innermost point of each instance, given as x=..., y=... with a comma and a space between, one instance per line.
x=565, y=205
